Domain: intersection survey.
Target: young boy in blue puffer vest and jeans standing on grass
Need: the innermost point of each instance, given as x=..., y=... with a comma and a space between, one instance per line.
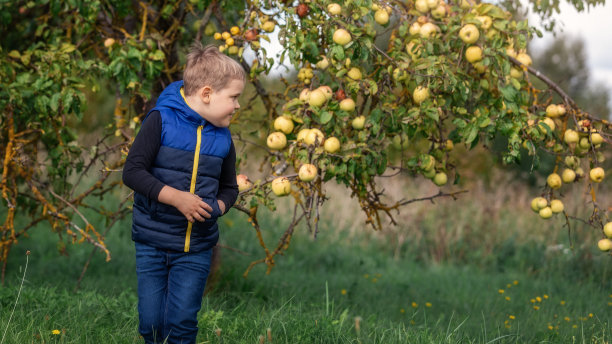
x=182, y=169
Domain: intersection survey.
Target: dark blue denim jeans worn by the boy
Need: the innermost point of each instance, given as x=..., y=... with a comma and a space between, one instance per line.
x=170, y=289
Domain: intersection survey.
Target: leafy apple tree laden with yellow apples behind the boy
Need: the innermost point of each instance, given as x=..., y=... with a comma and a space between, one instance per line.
x=382, y=87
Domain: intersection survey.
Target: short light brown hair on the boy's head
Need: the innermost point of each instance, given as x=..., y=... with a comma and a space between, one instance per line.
x=207, y=66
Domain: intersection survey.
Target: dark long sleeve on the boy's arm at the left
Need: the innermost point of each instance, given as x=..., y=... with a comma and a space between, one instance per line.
x=137, y=169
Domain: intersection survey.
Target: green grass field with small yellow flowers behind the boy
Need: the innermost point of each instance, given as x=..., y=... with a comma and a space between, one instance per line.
x=343, y=287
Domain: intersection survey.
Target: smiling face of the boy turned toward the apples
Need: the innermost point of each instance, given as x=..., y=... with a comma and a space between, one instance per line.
x=222, y=103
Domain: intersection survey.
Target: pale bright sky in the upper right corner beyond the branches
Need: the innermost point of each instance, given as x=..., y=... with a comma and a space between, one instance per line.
x=595, y=28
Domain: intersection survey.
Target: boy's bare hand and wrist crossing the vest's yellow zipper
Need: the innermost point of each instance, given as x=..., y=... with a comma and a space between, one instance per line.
x=190, y=205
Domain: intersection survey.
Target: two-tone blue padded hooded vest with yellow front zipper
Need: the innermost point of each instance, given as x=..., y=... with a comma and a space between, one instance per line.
x=189, y=159
